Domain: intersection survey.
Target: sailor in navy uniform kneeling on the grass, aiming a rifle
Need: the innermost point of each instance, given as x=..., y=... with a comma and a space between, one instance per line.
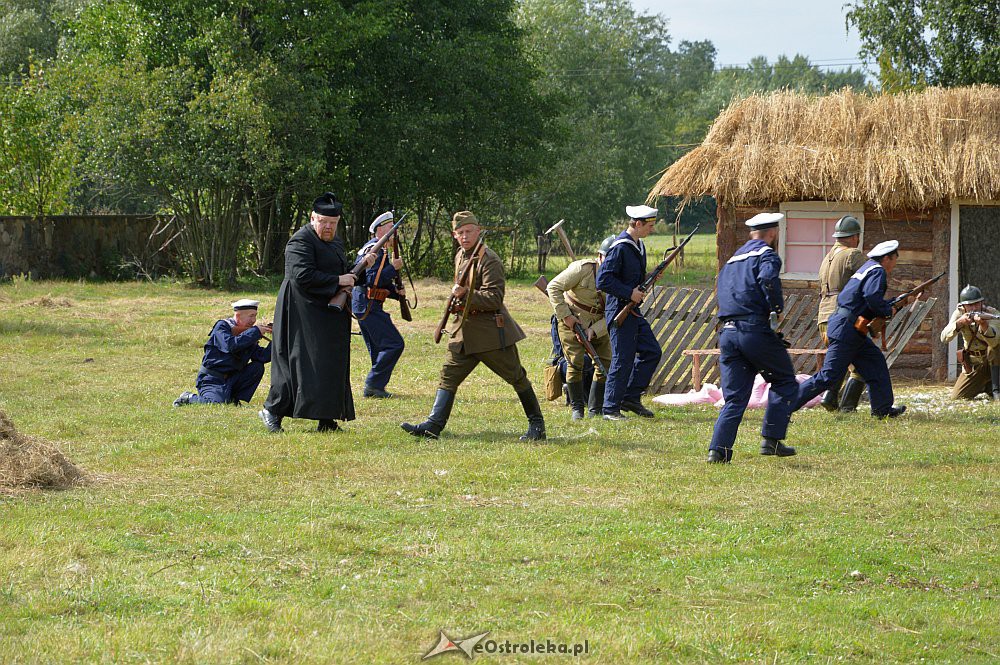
x=233, y=364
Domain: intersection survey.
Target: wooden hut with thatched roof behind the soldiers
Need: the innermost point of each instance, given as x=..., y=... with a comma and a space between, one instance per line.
x=922, y=168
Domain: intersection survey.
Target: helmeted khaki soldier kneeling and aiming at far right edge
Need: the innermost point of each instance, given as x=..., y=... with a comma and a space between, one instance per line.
x=982, y=345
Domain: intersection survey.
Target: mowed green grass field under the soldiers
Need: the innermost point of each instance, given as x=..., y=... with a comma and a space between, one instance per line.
x=202, y=539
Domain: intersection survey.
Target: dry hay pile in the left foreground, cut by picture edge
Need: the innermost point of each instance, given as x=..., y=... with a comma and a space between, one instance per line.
x=29, y=462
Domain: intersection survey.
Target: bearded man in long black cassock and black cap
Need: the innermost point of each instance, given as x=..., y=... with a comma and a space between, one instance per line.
x=311, y=350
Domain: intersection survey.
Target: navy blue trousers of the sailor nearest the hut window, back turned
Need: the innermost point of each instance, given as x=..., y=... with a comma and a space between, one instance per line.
x=745, y=350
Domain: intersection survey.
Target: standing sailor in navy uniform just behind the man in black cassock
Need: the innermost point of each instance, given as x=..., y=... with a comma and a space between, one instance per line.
x=385, y=344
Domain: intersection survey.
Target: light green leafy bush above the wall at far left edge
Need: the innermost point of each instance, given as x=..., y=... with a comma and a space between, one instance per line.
x=36, y=157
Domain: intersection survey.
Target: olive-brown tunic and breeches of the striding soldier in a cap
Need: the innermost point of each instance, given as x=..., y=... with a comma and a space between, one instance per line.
x=481, y=339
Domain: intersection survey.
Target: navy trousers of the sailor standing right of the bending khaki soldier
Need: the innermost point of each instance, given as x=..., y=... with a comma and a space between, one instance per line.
x=635, y=353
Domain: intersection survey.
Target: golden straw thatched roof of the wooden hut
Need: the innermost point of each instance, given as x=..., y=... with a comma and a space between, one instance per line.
x=890, y=152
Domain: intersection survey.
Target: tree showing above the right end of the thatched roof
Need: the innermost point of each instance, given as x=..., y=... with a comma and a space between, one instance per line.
x=936, y=42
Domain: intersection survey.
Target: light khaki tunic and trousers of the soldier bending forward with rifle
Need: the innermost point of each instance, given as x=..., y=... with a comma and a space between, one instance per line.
x=578, y=282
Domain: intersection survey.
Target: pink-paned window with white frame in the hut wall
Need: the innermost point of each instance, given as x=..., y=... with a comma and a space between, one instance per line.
x=806, y=235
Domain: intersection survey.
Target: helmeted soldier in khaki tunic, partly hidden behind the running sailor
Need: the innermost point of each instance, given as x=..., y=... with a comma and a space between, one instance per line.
x=842, y=261
